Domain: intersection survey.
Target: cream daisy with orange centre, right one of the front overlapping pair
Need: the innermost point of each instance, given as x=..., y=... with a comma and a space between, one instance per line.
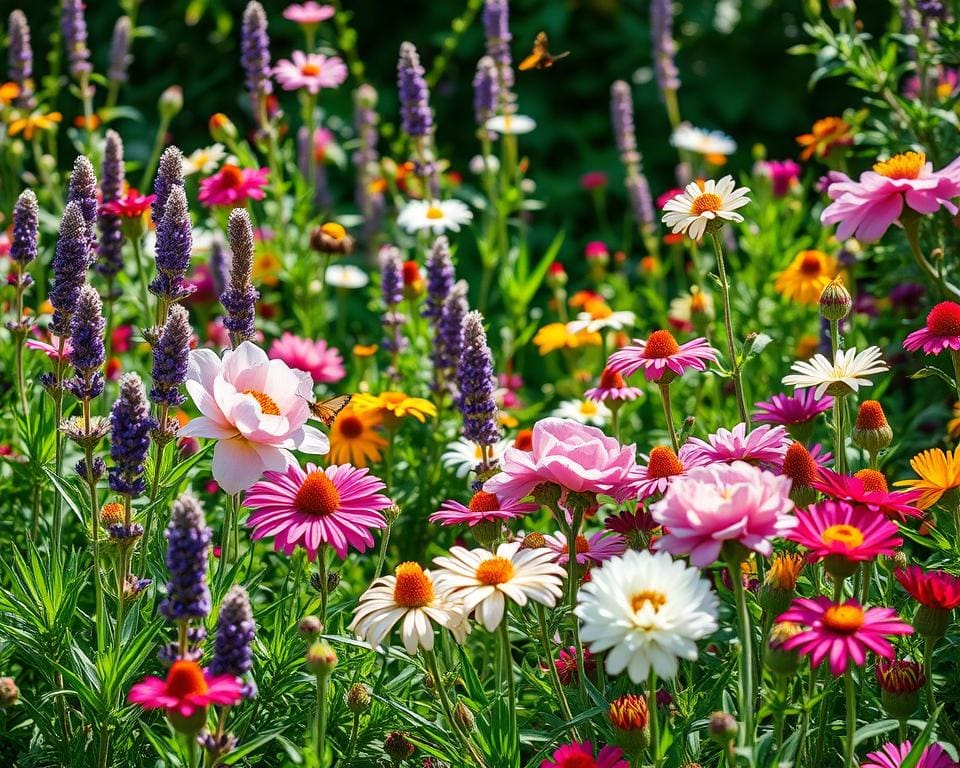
x=484, y=580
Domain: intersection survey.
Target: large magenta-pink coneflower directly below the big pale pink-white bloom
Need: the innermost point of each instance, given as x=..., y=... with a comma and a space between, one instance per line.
x=339, y=506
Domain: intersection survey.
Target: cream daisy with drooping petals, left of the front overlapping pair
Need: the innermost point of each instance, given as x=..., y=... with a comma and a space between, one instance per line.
x=413, y=597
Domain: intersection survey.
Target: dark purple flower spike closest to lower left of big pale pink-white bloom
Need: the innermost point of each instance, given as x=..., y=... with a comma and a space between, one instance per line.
x=130, y=425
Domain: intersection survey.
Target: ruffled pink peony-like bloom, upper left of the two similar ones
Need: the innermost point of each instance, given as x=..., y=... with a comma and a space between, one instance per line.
x=572, y=455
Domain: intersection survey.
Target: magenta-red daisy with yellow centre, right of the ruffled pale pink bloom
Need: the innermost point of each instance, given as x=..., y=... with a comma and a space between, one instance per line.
x=842, y=530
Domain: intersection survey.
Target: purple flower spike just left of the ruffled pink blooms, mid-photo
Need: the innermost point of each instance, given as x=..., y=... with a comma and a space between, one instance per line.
x=477, y=383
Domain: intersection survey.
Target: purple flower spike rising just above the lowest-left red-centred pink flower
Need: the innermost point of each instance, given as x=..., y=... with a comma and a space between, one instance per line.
x=188, y=544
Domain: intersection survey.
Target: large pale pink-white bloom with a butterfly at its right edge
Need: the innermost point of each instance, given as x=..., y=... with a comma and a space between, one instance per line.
x=255, y=408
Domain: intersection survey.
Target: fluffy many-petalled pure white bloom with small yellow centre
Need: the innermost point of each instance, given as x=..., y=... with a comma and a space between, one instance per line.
x=646, y=610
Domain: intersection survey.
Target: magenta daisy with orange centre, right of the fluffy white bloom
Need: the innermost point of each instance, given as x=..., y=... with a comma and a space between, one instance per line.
x=841, y=632
